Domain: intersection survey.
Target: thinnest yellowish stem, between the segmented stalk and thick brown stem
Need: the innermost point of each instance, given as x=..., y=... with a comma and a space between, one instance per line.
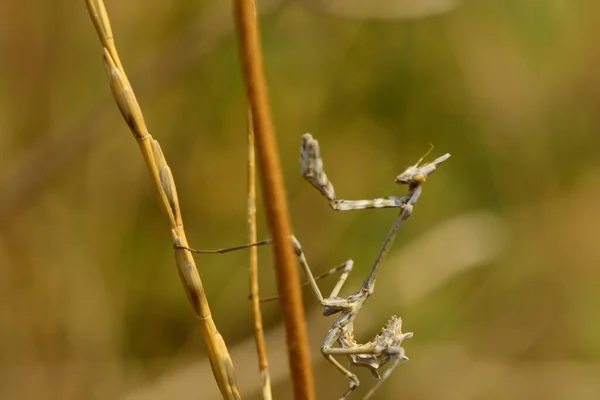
x=259, y=335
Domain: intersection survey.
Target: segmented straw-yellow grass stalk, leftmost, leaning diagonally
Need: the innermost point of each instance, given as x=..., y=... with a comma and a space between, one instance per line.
x=162, y=179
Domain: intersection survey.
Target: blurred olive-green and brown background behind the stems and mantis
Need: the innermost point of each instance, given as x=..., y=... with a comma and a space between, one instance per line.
x=497, y=273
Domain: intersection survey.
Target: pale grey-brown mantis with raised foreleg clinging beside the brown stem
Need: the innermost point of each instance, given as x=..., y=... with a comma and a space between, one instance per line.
x=339, y=340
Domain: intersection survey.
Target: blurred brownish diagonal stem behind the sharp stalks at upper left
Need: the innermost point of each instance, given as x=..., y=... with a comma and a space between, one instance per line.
x=32, y=172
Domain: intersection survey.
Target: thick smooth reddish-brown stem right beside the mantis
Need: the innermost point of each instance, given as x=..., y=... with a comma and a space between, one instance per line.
x=288, y=282
